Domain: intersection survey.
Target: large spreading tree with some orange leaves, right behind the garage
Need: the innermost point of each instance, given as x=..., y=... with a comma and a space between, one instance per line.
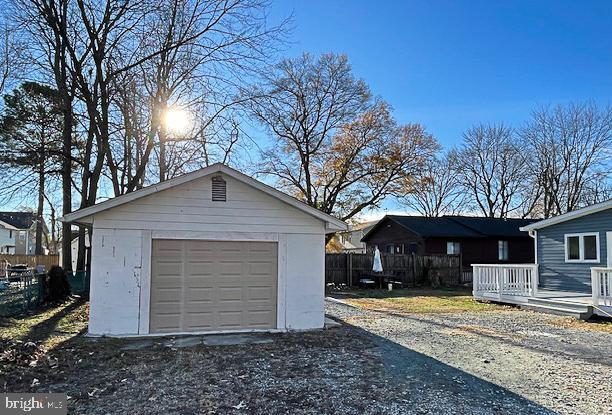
x=335, y=147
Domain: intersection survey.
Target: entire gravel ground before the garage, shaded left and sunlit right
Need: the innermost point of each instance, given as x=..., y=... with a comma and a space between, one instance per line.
x=509, y=362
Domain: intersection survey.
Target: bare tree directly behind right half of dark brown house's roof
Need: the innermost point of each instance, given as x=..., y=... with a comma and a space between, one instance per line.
x=491, y=166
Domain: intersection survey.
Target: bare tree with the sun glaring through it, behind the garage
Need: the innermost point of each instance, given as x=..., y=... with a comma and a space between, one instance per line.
x=200, y=56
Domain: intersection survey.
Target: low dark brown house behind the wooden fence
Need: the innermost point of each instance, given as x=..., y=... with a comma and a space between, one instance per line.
x=477, y=240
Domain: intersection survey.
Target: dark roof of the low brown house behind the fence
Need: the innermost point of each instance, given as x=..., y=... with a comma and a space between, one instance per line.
x=456, y=226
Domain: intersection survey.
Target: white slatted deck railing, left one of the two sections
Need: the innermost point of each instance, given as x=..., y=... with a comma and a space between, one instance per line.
x=498, y=281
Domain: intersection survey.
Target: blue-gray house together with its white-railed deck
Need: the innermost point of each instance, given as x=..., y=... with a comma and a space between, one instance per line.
x=572, y=273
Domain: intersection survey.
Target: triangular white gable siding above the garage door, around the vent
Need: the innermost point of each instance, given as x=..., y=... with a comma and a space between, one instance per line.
x=189, y=207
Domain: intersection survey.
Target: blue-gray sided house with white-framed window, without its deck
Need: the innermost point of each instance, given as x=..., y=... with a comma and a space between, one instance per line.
x=568, y=246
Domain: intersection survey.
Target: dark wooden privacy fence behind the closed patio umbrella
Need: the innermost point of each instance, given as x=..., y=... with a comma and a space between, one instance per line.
x=411, y=270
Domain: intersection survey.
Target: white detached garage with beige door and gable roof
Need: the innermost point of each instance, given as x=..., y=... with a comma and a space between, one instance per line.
x=211, y=251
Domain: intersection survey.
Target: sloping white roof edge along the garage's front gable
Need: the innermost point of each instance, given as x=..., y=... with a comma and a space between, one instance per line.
x=332, y=223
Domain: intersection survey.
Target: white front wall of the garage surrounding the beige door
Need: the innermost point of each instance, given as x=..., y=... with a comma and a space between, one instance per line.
x=123, y=235
